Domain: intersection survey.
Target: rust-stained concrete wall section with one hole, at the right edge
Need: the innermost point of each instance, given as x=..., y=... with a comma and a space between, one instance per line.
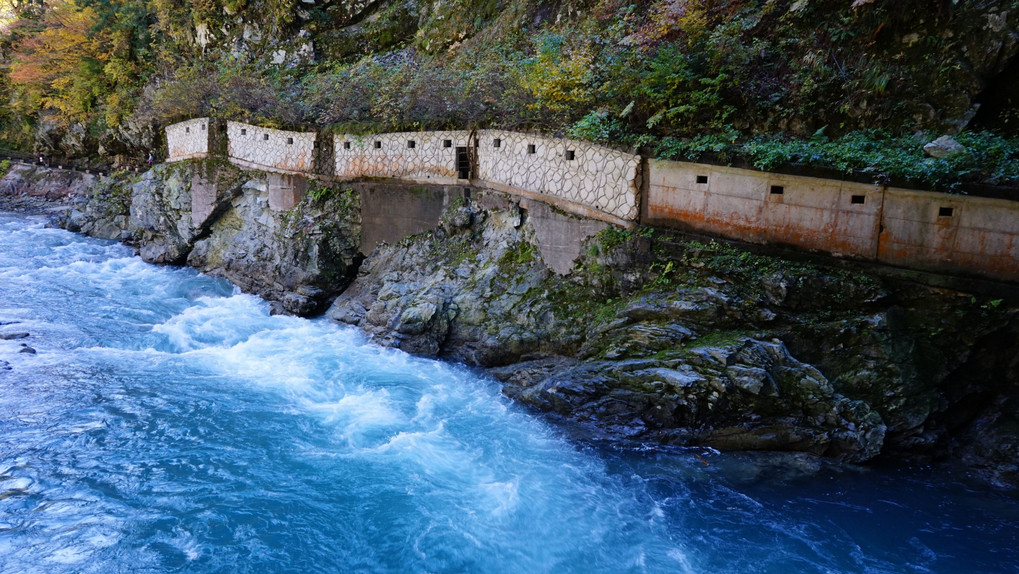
x=954, y=234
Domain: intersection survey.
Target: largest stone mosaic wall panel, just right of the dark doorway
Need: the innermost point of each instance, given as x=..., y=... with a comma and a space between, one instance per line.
x=592, y=176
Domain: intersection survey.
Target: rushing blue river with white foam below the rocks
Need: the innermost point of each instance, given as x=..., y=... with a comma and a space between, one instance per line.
x=170, y=424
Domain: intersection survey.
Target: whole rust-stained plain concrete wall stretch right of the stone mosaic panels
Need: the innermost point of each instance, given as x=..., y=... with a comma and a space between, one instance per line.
x=909, y=229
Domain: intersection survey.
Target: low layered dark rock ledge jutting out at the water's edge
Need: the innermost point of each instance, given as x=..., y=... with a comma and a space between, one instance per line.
x=750, y=395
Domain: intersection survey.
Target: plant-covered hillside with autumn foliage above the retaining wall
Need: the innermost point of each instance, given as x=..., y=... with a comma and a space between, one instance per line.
x=855, y=86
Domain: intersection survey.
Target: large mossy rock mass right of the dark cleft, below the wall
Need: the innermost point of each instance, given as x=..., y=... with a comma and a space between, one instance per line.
x=649, y=341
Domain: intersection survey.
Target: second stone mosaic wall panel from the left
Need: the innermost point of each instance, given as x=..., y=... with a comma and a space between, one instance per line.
x=274, y=150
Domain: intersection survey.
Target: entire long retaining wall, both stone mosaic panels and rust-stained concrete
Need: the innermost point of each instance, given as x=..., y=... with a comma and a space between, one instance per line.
x=921, y=230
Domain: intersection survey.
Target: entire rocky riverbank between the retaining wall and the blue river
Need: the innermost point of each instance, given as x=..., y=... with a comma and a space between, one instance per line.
x=653, y=338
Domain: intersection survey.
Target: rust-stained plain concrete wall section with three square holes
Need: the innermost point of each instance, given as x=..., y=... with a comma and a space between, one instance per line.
x=839, y=218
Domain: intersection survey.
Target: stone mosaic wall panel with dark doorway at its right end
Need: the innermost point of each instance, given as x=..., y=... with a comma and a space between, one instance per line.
x=421, y=156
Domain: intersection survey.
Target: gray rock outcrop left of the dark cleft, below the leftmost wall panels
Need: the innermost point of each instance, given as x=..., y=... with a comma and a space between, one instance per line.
x=218, y=219
